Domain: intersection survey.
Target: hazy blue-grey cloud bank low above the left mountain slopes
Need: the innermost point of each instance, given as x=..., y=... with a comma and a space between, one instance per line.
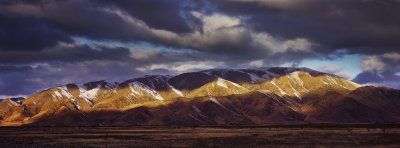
x=41, y=76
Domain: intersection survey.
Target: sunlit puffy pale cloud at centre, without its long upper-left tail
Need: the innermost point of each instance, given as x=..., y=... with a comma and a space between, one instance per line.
x=226, y=34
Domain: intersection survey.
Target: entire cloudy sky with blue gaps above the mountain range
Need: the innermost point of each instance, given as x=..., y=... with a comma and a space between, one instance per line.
x=45, y=43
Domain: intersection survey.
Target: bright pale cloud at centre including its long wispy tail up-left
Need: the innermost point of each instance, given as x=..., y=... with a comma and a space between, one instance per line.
x=219, y=29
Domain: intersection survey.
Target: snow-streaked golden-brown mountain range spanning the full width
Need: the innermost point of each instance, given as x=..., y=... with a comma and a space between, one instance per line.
x=262, y=96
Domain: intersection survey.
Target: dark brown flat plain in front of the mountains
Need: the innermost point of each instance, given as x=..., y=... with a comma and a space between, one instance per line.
x=297, y=136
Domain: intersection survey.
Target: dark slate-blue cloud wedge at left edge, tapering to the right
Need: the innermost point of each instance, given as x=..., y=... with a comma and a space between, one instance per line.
x=27, y=33
